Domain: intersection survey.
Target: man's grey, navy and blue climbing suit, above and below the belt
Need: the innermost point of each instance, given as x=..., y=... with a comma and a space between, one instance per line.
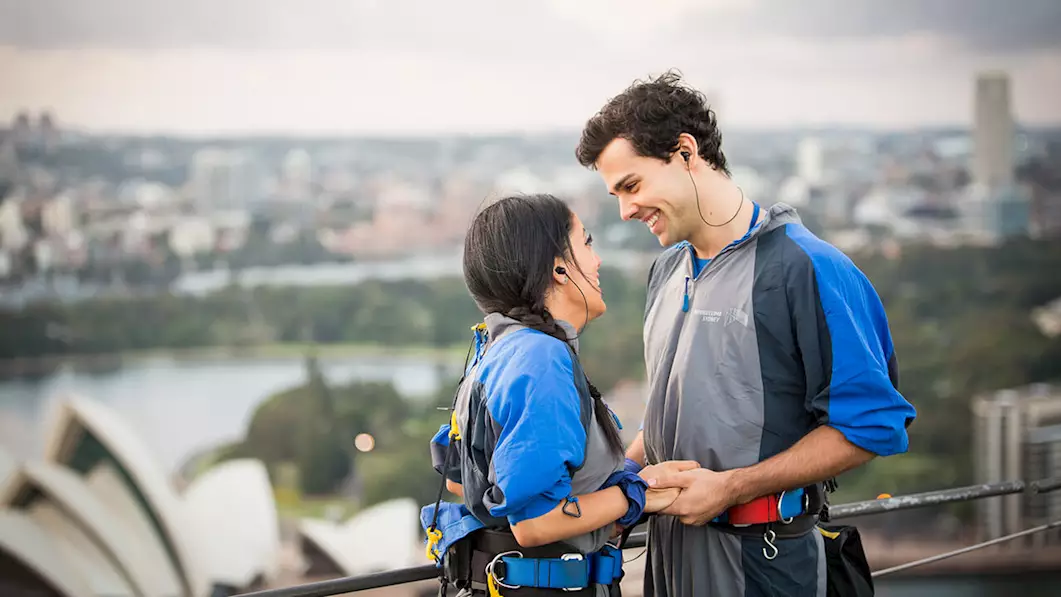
x=778, y=335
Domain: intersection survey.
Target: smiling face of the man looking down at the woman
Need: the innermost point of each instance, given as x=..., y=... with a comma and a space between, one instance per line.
x=650, y=190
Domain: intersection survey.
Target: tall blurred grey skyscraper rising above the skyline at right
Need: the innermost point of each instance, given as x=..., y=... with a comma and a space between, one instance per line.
x=994, y=132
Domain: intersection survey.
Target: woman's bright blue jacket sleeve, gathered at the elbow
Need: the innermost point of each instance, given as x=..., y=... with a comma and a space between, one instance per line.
x=537, y=411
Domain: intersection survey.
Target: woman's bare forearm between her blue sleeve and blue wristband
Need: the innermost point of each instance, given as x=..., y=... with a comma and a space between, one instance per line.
x=600, y=510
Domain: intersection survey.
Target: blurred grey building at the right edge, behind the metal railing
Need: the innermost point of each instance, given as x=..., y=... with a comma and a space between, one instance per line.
x=1018, y=436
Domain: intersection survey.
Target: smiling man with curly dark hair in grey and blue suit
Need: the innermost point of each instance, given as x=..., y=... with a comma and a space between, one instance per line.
x=769, y=358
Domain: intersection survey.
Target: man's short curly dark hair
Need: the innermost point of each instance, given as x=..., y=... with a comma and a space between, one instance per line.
x=651, y=115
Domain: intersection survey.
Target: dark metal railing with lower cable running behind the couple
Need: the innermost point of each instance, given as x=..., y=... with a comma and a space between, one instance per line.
x=402, y=576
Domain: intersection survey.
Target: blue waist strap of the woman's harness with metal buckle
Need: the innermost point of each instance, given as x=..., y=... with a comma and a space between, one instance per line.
x=575, y=572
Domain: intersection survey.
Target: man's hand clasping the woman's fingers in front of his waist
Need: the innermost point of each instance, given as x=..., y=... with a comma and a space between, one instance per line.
x=705, y=495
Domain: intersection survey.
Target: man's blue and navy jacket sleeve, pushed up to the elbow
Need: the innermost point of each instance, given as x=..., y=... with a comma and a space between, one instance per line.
x=844, y=340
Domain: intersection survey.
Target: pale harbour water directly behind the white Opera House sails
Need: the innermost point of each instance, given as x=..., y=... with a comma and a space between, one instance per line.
x=183, y=408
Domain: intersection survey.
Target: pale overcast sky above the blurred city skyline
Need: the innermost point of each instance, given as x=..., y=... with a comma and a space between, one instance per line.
x=482, y=66
